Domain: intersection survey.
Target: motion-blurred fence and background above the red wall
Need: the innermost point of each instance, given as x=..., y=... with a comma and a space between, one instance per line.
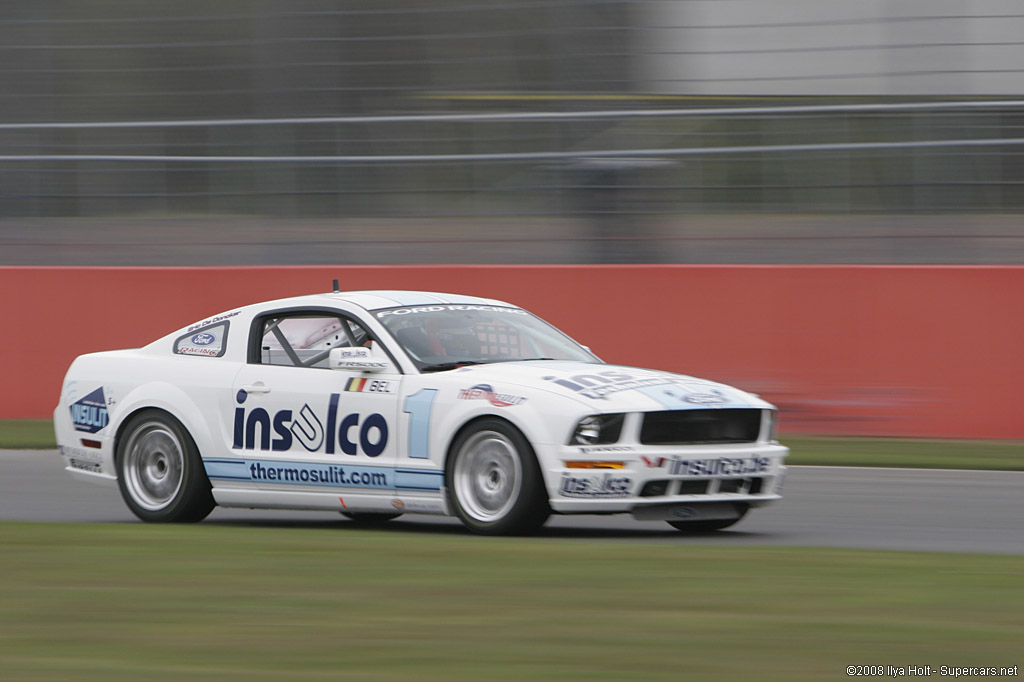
x=511, y=132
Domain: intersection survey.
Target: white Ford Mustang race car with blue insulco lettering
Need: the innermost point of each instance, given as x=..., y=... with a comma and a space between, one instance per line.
x=377, y=404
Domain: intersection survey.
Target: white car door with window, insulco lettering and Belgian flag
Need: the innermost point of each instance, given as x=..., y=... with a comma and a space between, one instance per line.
x=302, y=427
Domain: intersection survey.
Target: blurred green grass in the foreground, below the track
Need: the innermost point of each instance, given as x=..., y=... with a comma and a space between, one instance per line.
x=209, y=603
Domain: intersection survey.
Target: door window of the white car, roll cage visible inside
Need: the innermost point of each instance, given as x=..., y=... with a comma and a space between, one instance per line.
x=307, y=339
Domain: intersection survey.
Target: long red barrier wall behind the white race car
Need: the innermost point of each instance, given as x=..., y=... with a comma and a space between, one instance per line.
x=884, y=351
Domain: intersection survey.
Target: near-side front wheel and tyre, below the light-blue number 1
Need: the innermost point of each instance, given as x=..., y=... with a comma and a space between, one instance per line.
x=495, y=485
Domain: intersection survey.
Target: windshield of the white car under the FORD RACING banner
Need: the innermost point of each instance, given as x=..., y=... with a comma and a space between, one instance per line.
x=446, y=337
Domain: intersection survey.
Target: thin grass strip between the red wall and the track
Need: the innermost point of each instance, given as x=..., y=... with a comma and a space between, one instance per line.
x=38, y=435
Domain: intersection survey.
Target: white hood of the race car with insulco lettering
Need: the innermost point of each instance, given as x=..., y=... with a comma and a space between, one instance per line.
x=612, y=388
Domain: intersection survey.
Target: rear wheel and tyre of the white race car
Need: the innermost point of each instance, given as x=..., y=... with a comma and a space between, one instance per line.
x=160, y=472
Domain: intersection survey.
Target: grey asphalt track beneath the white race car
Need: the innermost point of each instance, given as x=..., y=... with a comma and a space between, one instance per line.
x=890, y=509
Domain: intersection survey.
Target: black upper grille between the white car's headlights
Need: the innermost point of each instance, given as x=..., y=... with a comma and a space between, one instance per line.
x=680, y=428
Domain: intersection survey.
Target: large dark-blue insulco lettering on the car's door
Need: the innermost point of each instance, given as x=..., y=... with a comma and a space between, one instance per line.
x=353, y=434
